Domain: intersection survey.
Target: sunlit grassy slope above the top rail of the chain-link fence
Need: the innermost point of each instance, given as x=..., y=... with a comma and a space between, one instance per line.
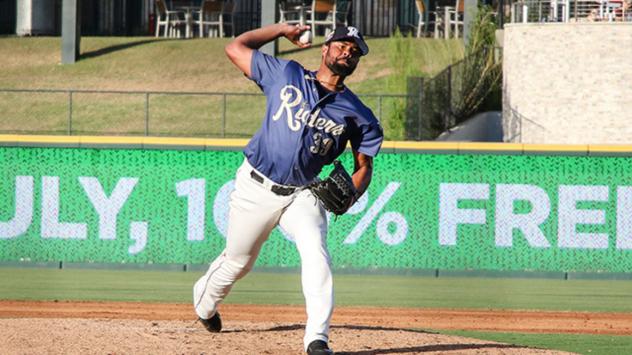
x=150, y=64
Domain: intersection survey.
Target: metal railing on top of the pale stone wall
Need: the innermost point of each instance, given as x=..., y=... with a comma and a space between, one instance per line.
x=571, y=11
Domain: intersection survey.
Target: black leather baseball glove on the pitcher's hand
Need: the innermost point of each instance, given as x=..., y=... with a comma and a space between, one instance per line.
x=336, y=192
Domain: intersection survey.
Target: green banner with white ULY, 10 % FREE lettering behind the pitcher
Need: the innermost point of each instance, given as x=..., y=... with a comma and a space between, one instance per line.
x=422, y=211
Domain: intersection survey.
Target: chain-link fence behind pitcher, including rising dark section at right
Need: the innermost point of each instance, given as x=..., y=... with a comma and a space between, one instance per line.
x=430, y=107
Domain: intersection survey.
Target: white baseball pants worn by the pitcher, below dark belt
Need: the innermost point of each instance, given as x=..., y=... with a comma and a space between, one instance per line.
x=254, y=212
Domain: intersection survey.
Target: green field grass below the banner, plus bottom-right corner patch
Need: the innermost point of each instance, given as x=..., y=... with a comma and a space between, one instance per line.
x=351, y=290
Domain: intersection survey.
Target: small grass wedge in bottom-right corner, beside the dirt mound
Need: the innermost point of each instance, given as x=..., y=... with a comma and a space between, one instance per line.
x=576, y=343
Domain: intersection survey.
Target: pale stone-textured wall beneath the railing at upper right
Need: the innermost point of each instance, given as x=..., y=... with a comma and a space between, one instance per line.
x=567, y=83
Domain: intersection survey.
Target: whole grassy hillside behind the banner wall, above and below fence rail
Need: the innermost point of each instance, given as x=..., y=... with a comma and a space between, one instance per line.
x=150, y=64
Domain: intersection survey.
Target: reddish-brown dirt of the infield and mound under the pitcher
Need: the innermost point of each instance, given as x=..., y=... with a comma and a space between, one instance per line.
x=144, y=328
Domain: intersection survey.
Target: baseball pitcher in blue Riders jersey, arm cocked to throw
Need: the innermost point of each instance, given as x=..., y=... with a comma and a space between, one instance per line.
x=309, y=119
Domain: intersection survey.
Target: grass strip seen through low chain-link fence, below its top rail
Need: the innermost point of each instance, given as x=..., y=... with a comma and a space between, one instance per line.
x=149, y=113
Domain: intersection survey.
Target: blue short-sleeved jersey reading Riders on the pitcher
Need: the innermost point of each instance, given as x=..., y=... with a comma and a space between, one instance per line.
x=302, y=131
